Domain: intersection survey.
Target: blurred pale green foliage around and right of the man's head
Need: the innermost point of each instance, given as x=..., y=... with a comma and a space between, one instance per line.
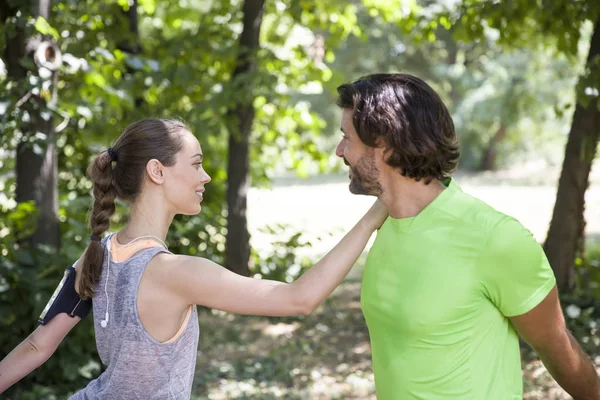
x=485, y=82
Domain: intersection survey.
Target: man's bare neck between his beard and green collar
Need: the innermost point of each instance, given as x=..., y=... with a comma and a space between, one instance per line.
x=405, y=197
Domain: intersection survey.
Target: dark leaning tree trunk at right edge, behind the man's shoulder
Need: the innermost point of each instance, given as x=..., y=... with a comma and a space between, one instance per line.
x=566, y=232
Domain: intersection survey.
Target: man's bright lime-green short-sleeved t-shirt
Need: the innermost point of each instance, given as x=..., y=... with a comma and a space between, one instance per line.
x=437, y=290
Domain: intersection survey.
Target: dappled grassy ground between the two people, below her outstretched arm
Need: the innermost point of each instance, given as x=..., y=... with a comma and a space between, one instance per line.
x=323, y=356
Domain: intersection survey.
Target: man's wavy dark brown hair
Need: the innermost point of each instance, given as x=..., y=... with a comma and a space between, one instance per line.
x=406, y=115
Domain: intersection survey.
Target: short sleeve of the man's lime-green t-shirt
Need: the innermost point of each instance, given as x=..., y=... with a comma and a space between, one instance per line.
x=516, y=275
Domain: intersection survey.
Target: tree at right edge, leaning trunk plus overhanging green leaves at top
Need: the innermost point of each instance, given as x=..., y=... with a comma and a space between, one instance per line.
x=522, y=24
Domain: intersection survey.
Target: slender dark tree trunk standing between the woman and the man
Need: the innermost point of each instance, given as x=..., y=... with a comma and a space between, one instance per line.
x=241, y=117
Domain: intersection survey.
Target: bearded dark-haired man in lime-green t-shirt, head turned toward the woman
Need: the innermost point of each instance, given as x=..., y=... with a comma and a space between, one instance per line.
x=449, y=283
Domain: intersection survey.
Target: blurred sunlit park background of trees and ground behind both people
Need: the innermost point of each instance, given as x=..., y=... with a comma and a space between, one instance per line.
x=255, y=80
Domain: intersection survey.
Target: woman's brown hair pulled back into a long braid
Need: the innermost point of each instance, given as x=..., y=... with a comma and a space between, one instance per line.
x=119, y=172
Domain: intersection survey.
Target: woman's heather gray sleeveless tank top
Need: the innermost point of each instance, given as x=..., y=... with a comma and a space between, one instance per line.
x=138, y=366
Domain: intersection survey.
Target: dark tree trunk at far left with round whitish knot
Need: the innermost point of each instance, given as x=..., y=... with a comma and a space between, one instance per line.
x=32, y=63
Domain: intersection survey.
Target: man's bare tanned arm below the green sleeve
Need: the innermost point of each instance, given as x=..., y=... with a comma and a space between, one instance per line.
x=544, y=329
